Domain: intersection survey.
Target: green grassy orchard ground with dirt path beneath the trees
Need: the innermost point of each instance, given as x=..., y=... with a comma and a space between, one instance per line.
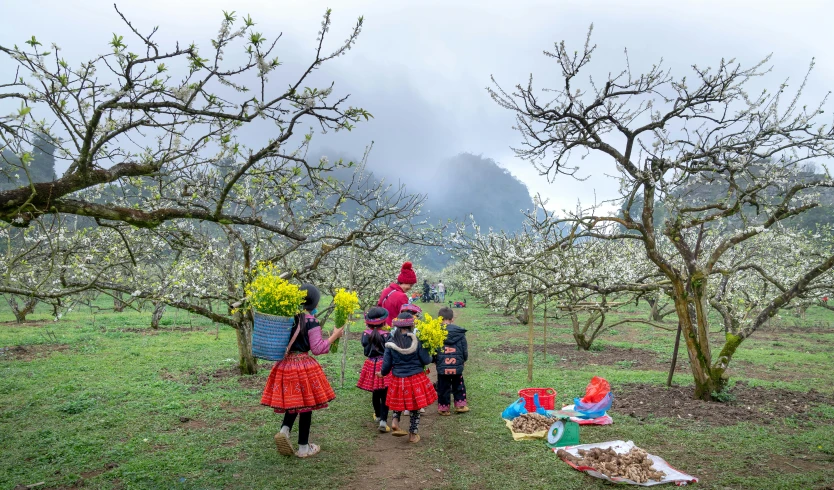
x=107, y=402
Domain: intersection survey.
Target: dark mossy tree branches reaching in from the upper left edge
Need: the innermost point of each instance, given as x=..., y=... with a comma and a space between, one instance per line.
x=145, y=122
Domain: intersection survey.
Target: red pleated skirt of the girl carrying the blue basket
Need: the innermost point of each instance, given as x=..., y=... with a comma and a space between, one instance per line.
x=297, y=384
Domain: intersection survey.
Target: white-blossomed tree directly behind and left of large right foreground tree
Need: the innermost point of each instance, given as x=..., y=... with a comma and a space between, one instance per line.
x=588, y=279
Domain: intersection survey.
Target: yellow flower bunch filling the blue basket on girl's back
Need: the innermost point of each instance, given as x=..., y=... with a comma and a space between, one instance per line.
x=269, y=293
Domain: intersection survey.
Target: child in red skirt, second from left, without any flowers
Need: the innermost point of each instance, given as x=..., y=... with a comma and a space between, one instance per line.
x=373, y=340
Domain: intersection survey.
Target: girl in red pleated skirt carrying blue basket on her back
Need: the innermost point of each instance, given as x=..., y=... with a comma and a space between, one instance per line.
x=297, y=384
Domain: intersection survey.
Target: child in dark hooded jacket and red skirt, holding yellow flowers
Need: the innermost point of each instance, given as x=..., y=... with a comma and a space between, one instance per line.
x=409, y=388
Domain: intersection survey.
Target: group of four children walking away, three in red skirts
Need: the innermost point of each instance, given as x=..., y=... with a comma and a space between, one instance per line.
x=395, y=372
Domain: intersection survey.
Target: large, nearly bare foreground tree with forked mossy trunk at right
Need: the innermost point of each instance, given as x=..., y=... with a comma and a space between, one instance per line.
x=668, y=137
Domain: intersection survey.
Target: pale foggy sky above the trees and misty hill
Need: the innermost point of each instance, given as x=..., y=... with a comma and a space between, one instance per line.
x=421, y=67
